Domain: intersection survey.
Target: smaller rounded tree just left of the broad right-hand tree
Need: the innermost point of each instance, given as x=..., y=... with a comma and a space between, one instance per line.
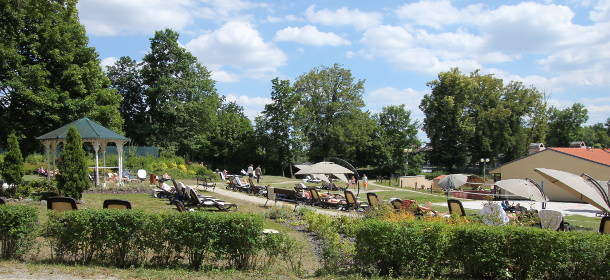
x=395, y=132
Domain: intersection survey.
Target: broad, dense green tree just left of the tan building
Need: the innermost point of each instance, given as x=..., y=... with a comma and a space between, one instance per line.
x=478, y=116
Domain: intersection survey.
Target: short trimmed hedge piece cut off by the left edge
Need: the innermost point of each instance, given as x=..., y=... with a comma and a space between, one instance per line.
x=17, y=230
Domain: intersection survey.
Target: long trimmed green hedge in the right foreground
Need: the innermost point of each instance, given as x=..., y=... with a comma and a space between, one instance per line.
x=429, y=249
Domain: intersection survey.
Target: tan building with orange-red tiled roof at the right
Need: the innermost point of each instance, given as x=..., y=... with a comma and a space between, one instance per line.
x=577, y=159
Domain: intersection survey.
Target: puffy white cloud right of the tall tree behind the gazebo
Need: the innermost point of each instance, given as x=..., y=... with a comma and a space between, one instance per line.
x=238, y=45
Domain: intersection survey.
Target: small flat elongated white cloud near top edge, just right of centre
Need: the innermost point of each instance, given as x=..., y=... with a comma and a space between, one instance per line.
x=344, y=16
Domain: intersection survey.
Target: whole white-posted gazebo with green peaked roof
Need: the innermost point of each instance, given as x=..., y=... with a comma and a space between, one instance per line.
x=90, y=131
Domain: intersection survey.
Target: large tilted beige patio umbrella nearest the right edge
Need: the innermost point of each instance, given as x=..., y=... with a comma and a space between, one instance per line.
x=577, y=186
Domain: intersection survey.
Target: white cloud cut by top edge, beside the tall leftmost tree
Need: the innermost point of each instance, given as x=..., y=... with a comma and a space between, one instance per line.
x=113, y=17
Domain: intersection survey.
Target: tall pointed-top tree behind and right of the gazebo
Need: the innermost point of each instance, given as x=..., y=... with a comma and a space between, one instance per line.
x=175, y=100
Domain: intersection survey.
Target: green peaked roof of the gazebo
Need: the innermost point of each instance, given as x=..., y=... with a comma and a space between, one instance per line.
x=88, y=130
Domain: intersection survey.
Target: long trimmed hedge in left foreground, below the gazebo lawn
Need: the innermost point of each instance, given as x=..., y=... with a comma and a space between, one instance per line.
x=136, y=238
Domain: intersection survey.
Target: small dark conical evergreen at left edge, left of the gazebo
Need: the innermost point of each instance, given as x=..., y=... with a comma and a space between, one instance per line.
x=13, y=169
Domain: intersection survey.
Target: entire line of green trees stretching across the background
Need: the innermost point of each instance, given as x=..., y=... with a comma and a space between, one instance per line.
x=50, y=77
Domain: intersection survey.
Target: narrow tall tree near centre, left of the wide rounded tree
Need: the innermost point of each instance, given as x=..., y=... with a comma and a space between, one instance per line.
x=282, y=143
